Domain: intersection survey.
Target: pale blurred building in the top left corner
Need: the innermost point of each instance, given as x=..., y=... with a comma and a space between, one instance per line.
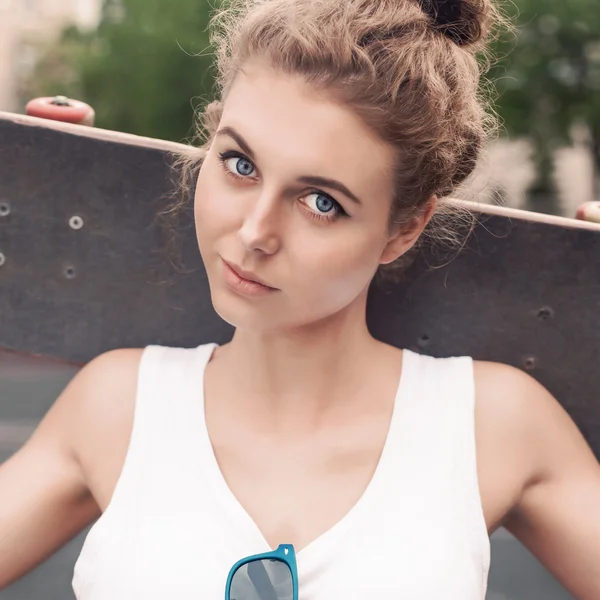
x=25, y=25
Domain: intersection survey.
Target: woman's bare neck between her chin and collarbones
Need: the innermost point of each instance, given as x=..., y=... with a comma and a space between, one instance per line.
x=302, y=371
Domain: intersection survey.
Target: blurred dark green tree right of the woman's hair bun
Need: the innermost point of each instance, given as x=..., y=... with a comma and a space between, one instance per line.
x=550, y=79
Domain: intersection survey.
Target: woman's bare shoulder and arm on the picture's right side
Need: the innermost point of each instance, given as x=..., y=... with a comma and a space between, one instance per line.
x=539, y=475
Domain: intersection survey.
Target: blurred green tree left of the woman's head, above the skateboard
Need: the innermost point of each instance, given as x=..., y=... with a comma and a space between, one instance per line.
x=141, y=69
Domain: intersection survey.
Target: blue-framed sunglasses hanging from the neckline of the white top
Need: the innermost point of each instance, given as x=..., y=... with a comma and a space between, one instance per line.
x=270, y=576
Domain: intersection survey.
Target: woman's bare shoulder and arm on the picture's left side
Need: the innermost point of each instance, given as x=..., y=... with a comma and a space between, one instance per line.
x=56, y=483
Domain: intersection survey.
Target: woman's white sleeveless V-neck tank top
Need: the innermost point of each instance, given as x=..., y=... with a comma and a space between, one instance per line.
x=173, y=528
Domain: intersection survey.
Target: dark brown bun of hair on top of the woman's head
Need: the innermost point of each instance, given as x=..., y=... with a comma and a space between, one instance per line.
x=463, y=21
